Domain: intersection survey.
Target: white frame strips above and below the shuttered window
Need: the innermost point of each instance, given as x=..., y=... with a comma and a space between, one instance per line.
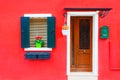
x=33, y=48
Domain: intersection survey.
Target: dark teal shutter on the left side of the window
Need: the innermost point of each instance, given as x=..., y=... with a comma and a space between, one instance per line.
x=25, y=41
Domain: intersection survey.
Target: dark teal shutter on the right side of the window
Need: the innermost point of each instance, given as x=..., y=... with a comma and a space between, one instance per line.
x=51, y=32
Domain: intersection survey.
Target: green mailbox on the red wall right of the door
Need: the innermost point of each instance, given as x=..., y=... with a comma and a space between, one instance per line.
x=104, y=32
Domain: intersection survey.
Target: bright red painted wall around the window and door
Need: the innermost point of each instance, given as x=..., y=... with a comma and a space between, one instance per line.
x=13, y=65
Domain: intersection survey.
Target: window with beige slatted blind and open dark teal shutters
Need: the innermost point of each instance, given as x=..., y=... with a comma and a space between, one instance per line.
x=37, y=26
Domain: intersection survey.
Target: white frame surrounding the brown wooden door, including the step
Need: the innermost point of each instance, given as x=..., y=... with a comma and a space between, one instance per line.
x=84, y=75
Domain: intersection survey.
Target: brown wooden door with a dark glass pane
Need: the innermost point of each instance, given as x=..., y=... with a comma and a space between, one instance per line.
x=81, y=44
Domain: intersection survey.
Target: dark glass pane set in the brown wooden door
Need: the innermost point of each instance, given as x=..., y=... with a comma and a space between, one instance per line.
x=84, y=33
